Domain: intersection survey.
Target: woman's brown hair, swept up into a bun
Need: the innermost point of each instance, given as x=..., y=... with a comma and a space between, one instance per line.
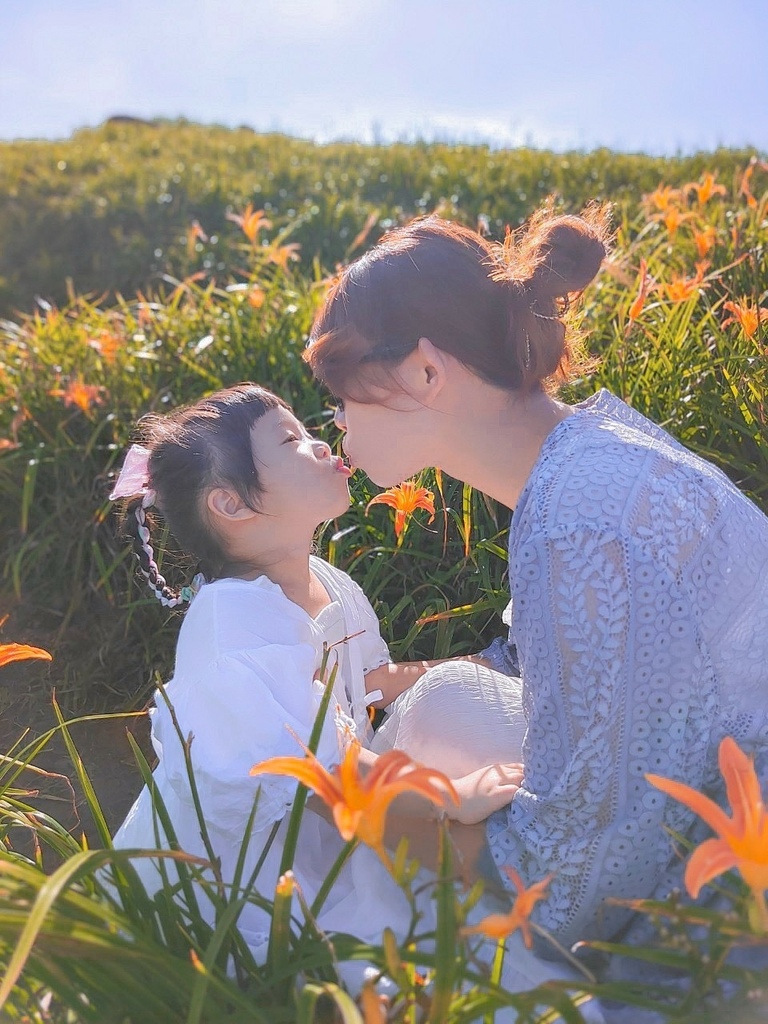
x=498, y=308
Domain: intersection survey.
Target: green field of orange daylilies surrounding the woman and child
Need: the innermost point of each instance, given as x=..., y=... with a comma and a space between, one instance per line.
x=678, y=326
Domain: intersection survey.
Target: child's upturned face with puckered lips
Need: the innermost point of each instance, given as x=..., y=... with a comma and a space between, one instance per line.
x=302, y=480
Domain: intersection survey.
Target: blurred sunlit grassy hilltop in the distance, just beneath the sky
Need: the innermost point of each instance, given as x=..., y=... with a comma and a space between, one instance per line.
x=111, y=208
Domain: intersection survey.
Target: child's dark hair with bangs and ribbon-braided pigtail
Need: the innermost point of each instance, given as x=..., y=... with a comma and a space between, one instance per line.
x=193, y=450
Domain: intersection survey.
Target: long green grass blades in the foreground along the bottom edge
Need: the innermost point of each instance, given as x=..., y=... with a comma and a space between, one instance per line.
x=84, y=943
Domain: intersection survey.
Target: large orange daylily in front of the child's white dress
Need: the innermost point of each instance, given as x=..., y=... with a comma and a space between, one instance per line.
x=360, y=804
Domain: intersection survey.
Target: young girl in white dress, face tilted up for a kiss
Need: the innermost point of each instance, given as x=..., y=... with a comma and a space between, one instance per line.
x=243, y=487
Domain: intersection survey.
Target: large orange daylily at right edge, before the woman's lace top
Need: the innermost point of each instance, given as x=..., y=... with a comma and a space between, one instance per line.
x=743, y=841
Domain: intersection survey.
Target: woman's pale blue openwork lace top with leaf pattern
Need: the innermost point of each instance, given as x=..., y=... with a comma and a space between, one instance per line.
x=639, y=624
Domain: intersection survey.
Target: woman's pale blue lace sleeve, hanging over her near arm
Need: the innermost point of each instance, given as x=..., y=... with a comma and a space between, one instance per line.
x=616, y=685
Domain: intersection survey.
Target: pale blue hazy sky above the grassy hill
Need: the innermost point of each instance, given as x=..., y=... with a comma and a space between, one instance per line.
x=655, y=76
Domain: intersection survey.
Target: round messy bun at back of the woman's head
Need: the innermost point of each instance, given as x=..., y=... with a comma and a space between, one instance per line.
x=564, y=255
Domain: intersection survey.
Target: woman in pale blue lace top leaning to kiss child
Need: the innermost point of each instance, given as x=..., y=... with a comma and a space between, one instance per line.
x=638, y=572
